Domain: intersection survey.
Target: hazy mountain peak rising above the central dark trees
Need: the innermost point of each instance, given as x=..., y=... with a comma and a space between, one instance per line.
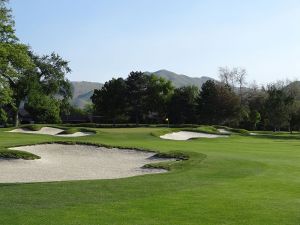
x=180, y=80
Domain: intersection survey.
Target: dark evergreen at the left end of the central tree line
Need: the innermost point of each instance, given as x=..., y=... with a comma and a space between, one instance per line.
x=110, y=101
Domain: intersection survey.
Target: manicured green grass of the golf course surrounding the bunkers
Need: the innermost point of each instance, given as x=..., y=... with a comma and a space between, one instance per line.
x=239, y=180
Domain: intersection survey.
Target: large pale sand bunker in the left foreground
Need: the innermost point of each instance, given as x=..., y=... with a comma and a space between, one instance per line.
x=75, y=162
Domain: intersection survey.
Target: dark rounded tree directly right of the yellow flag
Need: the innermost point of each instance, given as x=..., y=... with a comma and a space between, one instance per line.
x=182, y=105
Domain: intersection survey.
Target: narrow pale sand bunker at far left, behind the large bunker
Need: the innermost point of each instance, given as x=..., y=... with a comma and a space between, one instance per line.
x=50, y=131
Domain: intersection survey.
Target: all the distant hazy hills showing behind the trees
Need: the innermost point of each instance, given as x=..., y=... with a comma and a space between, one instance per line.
x=83, y=90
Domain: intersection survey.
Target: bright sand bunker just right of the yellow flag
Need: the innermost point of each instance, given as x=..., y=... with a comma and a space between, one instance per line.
x=186, y=135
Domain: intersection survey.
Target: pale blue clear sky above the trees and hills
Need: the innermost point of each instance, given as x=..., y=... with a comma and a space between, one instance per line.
x=109, y=38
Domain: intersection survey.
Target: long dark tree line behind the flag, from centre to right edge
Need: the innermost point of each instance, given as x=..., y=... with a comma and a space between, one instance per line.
x=143, y=98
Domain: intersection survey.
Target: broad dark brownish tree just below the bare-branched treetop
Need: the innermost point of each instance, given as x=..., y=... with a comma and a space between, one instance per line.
x=218, y=104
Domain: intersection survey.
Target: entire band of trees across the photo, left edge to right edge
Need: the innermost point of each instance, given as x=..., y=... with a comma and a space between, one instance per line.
x=39, y=84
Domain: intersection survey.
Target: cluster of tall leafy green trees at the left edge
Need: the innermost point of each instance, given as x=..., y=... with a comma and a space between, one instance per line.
x=38, y=82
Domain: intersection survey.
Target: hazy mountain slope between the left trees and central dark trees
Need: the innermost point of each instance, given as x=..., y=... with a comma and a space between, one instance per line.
x=82, y=91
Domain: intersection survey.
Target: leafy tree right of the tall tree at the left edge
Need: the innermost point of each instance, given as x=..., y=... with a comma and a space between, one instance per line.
x=46, y=80
